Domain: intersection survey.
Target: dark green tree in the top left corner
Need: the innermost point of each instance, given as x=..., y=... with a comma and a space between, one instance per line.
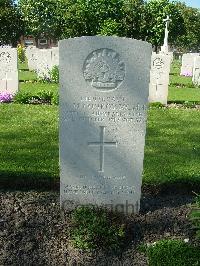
x=11, y=23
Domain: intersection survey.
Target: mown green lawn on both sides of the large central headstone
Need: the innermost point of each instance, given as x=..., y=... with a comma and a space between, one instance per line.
x=29, y=145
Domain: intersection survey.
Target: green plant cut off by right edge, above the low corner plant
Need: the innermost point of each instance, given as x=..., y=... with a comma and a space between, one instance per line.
x=195, y=216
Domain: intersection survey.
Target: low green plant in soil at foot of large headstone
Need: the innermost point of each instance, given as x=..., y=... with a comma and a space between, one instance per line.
x=93, y=228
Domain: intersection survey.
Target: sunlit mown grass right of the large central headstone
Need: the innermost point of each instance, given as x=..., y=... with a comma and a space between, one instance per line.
x=172, y=151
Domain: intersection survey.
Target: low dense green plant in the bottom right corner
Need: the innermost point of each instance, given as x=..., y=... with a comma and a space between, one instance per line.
x=173, y=253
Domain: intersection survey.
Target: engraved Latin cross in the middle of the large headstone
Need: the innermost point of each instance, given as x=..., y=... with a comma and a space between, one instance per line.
x=102, y=144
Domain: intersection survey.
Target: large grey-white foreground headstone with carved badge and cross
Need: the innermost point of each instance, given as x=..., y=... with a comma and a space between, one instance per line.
x=103, y=108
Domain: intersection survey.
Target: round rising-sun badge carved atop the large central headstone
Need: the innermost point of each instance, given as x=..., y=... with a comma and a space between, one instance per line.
x=104, y=69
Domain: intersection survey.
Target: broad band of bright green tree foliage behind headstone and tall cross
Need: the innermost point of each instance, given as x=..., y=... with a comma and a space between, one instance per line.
x=137, y=19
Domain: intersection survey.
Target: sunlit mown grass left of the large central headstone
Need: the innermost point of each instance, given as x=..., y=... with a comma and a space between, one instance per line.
x=28, y=144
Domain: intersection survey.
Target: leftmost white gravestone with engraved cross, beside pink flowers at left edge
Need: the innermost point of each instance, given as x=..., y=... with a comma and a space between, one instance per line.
x=8, y=70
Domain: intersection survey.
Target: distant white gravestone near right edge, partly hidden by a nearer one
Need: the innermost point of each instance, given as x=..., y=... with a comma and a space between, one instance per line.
x=188, y=64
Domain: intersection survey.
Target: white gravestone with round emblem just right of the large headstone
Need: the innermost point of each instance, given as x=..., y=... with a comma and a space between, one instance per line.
x=159, y=78
